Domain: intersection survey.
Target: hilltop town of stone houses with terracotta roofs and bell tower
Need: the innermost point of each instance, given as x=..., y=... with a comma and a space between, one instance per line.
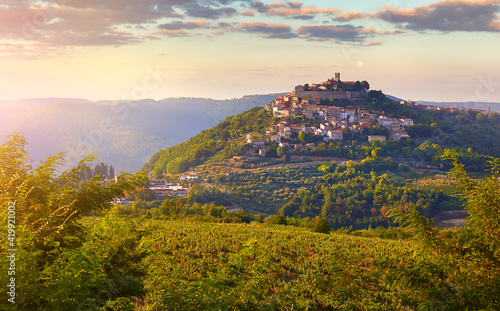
x=315, y=103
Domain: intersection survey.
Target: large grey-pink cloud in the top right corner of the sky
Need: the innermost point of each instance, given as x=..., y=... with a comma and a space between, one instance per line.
x=444, y=16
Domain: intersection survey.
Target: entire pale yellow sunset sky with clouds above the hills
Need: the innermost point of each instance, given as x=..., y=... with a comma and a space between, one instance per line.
x=132, y=49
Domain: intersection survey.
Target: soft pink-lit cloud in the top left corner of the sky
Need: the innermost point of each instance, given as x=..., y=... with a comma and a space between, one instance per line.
x=65, y=26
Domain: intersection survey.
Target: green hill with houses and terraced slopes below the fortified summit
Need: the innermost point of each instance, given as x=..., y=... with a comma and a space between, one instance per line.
x=262, y=167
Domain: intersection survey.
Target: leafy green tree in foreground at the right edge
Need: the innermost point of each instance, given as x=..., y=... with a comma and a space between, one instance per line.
x=474, y=251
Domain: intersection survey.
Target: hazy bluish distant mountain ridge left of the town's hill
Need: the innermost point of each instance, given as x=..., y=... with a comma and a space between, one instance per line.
x=122, y=134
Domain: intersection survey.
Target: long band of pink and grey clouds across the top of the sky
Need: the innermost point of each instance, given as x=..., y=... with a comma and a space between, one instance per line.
x=102, y=22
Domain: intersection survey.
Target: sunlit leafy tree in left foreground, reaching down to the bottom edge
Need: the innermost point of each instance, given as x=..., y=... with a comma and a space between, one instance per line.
x=48, y=208
